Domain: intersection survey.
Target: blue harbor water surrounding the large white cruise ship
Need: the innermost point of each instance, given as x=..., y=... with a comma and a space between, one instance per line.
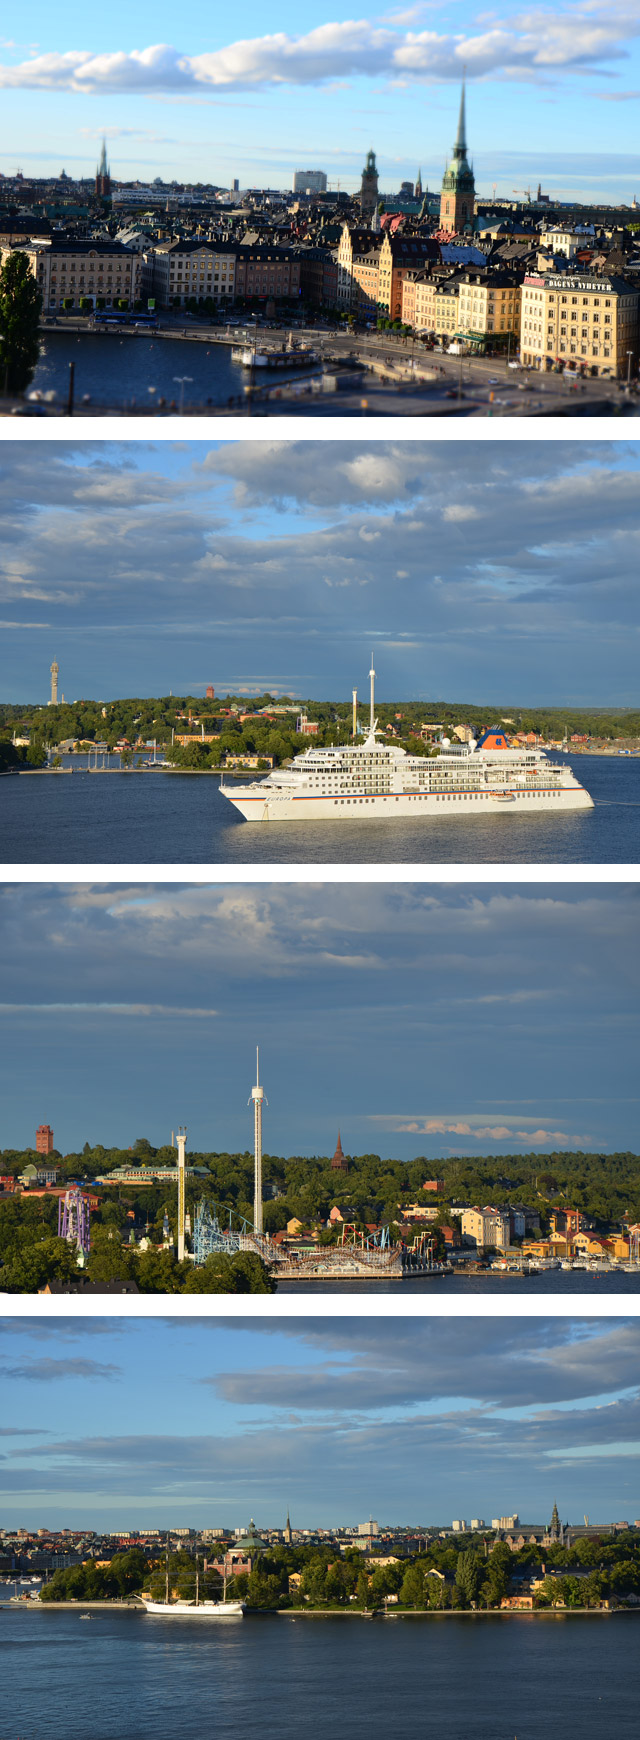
x=154, y=817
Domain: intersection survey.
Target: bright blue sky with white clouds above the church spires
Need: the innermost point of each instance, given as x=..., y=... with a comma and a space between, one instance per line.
x=554, y=93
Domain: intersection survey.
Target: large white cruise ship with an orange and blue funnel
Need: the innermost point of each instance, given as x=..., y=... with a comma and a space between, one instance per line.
x=378, y=780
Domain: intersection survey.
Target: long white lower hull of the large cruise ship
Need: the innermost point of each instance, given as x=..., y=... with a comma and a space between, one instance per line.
x=265, y=805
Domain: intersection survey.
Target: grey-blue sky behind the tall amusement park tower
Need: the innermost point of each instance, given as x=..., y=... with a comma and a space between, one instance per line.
x=418, y=1021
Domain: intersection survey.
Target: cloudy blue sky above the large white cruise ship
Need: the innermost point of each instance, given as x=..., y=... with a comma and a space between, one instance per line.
x=477, y=572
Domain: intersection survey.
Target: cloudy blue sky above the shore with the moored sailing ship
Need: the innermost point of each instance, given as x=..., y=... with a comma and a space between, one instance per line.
x=333, y=1421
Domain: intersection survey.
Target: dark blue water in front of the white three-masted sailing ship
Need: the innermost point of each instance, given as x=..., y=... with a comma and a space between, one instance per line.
x=272, y=1678
